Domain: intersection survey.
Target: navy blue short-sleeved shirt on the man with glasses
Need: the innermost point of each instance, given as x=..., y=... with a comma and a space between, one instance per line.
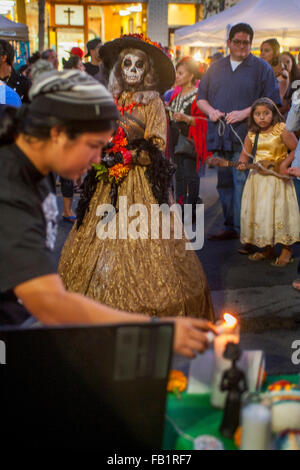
x=228, y=91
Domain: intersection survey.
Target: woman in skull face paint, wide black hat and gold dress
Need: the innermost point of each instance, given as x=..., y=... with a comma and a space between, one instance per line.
x=142, y=273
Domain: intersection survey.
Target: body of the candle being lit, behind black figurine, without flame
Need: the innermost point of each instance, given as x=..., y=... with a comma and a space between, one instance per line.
x=217, y=398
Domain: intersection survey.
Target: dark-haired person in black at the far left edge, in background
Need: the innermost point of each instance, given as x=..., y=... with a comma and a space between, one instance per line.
x=9, y=75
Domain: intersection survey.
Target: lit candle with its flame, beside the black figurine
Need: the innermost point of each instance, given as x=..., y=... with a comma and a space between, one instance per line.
x=227, y=332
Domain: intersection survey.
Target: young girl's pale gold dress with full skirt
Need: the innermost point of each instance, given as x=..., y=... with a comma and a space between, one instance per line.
x=270, y=211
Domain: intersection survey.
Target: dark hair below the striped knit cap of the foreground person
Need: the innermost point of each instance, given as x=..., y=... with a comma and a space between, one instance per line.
x=23, y=121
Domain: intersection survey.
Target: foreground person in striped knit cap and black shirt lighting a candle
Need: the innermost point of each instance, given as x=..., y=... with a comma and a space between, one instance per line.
x=71, y=118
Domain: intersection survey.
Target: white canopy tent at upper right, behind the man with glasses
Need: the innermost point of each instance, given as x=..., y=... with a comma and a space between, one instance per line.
x=269, y=19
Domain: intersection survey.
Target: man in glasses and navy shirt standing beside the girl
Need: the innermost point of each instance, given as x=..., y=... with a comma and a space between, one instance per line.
x=226, y=93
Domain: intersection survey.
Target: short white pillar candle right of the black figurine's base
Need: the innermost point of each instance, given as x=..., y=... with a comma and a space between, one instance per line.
x=256, y=427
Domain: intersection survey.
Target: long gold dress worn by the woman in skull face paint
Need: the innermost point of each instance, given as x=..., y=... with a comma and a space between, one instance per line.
x=152, y=276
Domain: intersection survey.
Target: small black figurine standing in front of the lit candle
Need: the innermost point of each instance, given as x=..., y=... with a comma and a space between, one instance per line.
x=233, y=381
